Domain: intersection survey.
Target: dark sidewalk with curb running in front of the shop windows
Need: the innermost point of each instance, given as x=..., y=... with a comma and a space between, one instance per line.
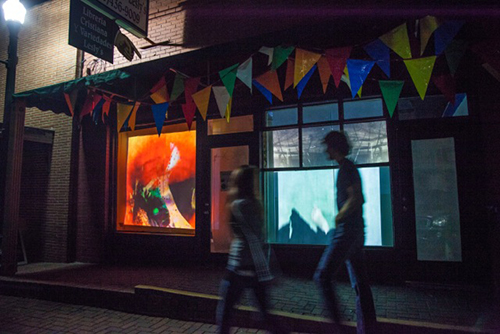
x=190, y=293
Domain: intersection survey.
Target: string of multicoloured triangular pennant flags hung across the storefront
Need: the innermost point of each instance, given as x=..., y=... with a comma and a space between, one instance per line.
x=332, y=63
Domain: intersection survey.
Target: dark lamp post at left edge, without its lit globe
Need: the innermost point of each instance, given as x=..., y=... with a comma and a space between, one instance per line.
x=9, y=214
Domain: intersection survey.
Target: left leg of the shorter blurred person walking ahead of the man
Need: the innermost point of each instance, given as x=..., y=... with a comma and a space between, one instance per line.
x=230, y=292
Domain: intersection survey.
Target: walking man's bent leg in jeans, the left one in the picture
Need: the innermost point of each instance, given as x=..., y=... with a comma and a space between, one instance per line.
x=333, y=257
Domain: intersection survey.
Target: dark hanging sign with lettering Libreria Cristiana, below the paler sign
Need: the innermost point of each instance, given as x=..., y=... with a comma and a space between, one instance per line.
x=91, y=31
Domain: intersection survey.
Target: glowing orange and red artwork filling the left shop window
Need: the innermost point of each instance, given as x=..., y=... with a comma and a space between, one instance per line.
x=161, y=180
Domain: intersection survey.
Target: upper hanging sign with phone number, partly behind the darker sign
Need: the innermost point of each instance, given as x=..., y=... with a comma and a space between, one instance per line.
x=131, y=15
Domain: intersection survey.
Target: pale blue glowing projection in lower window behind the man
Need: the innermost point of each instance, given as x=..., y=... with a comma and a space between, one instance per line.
x=305, y=206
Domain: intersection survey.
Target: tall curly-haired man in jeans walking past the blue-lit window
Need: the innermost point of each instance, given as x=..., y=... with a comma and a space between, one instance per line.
x=346, y=244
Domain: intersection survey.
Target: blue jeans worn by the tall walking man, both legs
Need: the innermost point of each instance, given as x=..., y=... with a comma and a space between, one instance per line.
x=346, y=247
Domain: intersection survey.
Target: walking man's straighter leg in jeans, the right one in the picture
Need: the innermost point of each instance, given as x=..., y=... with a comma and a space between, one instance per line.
x=365, y=308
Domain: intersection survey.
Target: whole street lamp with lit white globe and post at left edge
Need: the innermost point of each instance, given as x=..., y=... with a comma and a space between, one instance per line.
x=14, y=13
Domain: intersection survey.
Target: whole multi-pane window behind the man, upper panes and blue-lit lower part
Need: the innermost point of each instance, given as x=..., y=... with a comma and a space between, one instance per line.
x=299, y=179
